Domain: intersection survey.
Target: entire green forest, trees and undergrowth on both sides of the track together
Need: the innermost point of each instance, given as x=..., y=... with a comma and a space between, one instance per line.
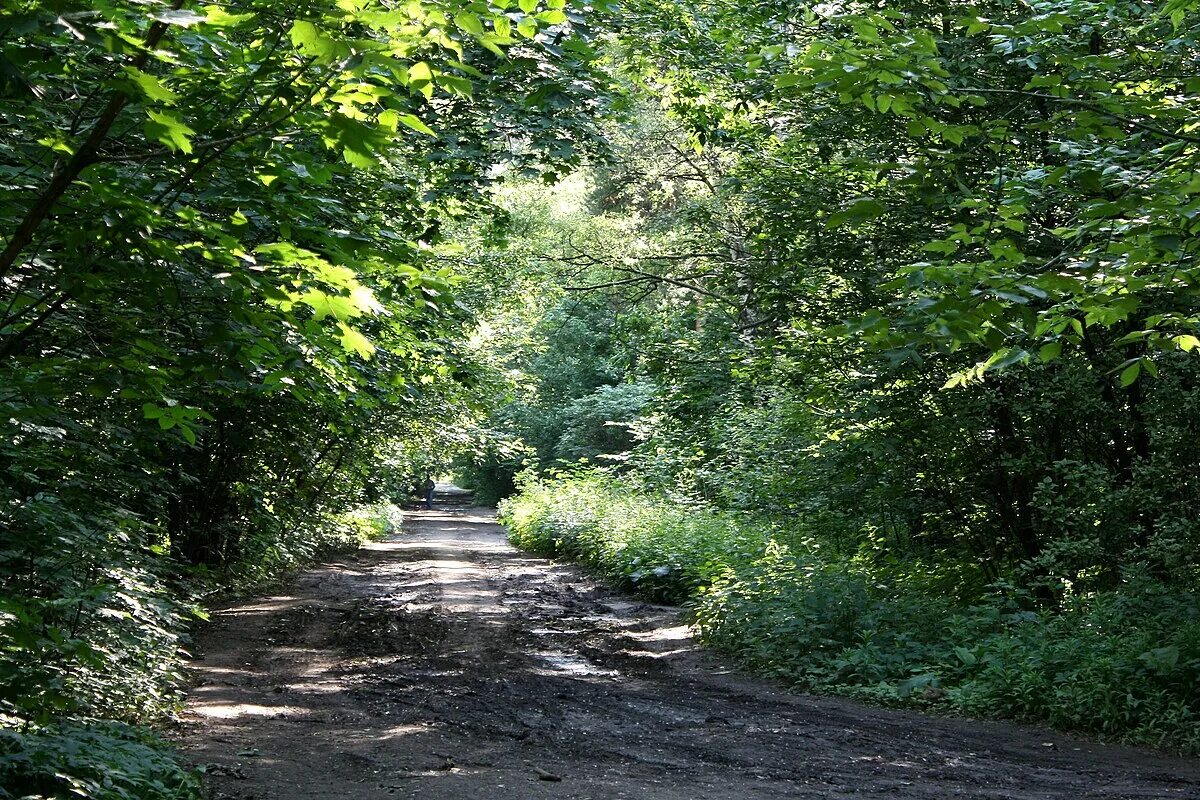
x=866, y=330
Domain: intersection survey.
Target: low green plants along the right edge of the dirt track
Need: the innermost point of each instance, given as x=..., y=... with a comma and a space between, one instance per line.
x=1120, y=666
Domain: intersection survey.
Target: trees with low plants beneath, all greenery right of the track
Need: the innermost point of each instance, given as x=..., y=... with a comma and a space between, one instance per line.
x=884, y=329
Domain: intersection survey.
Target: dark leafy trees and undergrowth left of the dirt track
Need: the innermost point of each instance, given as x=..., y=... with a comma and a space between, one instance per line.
x=224, y=332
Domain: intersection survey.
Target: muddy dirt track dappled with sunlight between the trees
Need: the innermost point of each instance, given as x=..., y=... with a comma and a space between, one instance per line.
x=443, y=664
